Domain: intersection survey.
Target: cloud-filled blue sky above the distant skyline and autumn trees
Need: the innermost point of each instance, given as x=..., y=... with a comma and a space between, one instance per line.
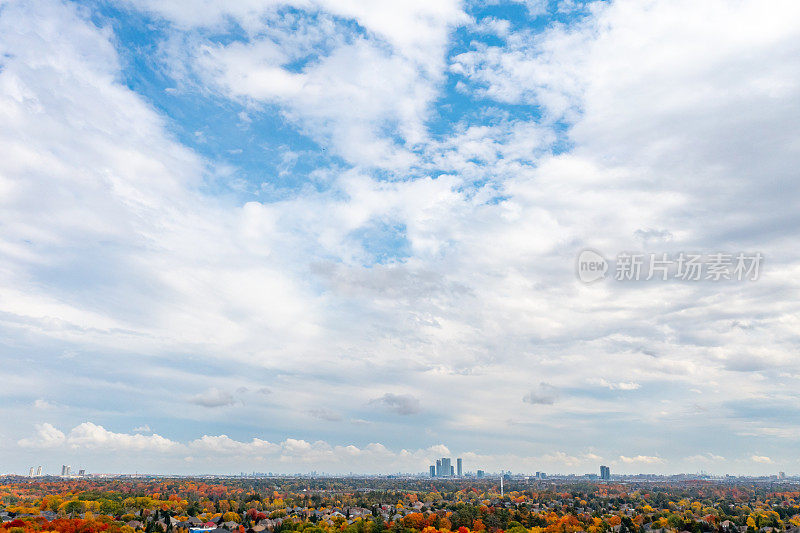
x=341, y=235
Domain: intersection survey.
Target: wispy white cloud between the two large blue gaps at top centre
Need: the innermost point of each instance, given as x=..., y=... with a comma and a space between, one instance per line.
x=335, y=97
